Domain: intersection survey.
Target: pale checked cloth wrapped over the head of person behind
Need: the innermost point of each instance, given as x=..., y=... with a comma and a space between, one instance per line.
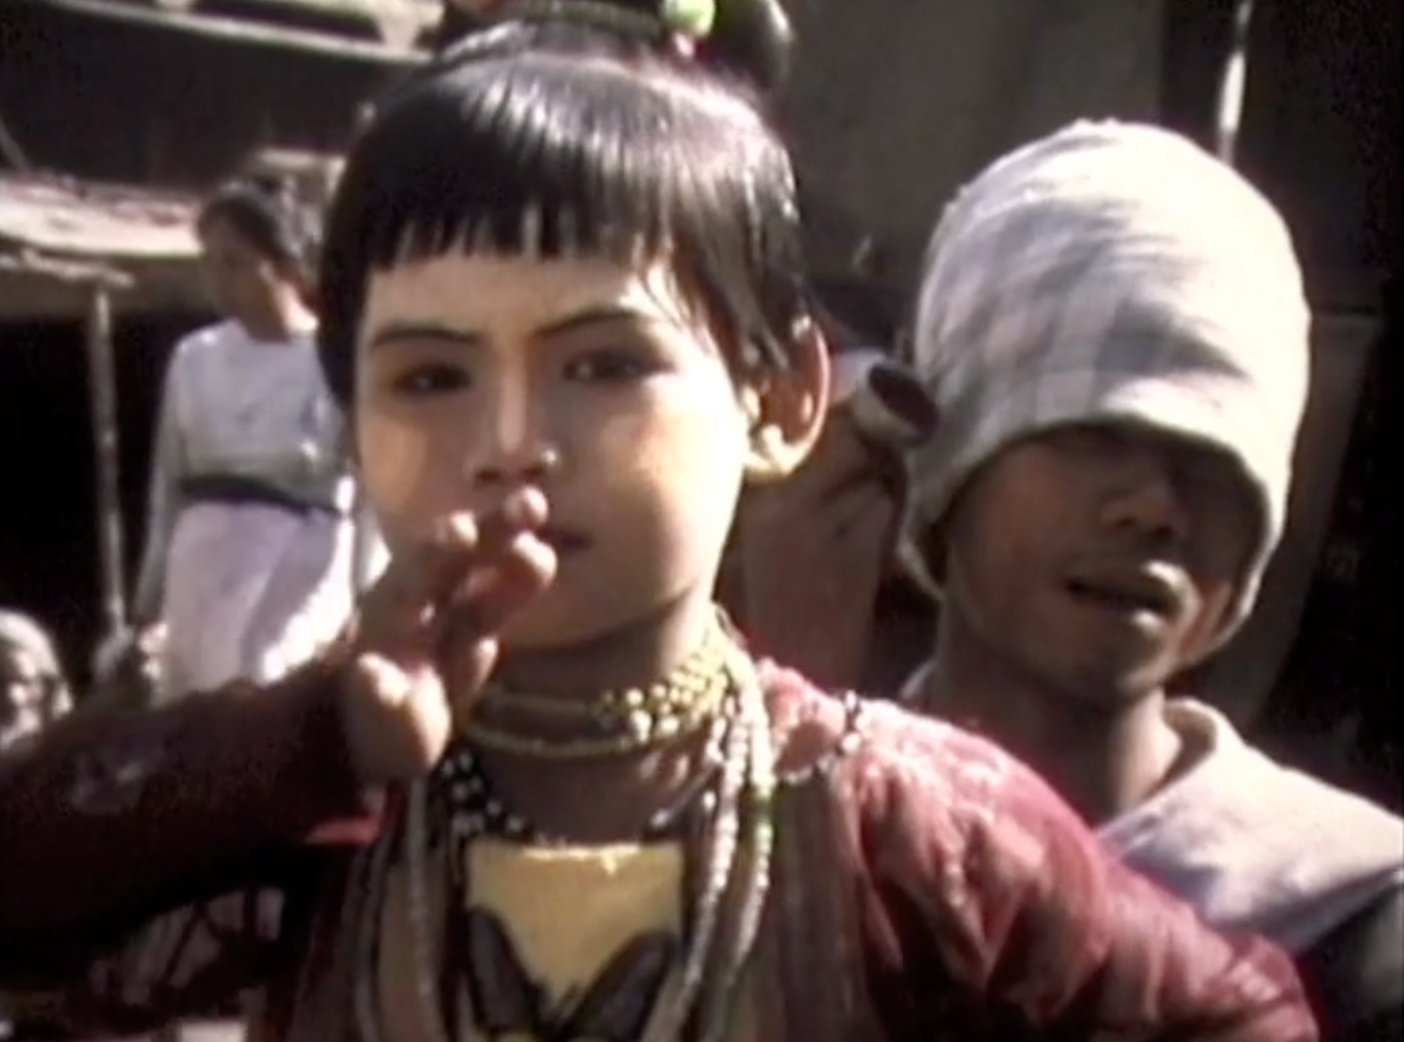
x=1113, y=273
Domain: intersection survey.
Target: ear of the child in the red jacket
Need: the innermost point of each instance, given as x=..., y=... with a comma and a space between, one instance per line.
x=787, y=408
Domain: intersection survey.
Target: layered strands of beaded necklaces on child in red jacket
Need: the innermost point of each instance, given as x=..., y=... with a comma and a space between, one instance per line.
x=718, y=690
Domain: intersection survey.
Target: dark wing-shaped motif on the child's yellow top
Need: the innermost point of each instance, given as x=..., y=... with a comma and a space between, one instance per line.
x=509, y=1005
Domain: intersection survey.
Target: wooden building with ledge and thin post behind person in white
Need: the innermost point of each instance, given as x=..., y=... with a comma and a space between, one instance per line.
x=169, y=98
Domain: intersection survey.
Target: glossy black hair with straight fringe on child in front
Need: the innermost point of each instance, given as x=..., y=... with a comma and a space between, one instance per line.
x=599, y=143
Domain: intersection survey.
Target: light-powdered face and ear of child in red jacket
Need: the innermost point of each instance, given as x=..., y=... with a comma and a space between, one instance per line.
x=593, y=380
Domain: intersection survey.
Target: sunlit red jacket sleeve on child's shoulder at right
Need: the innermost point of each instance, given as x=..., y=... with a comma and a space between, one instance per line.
x=1033, y=923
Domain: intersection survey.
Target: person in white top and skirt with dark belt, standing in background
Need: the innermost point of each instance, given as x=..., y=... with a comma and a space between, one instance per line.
x=248, y=567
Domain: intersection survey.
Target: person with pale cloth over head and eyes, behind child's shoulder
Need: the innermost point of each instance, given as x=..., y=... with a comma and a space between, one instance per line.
x=1114, y=329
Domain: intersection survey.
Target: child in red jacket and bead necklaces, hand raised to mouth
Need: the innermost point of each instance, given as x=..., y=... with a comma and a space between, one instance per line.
x=565, y=304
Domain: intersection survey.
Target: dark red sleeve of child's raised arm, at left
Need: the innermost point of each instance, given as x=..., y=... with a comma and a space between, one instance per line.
x=110, y=824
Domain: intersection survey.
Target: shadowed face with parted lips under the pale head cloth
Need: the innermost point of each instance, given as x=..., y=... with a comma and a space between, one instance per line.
x=1100, y=561
